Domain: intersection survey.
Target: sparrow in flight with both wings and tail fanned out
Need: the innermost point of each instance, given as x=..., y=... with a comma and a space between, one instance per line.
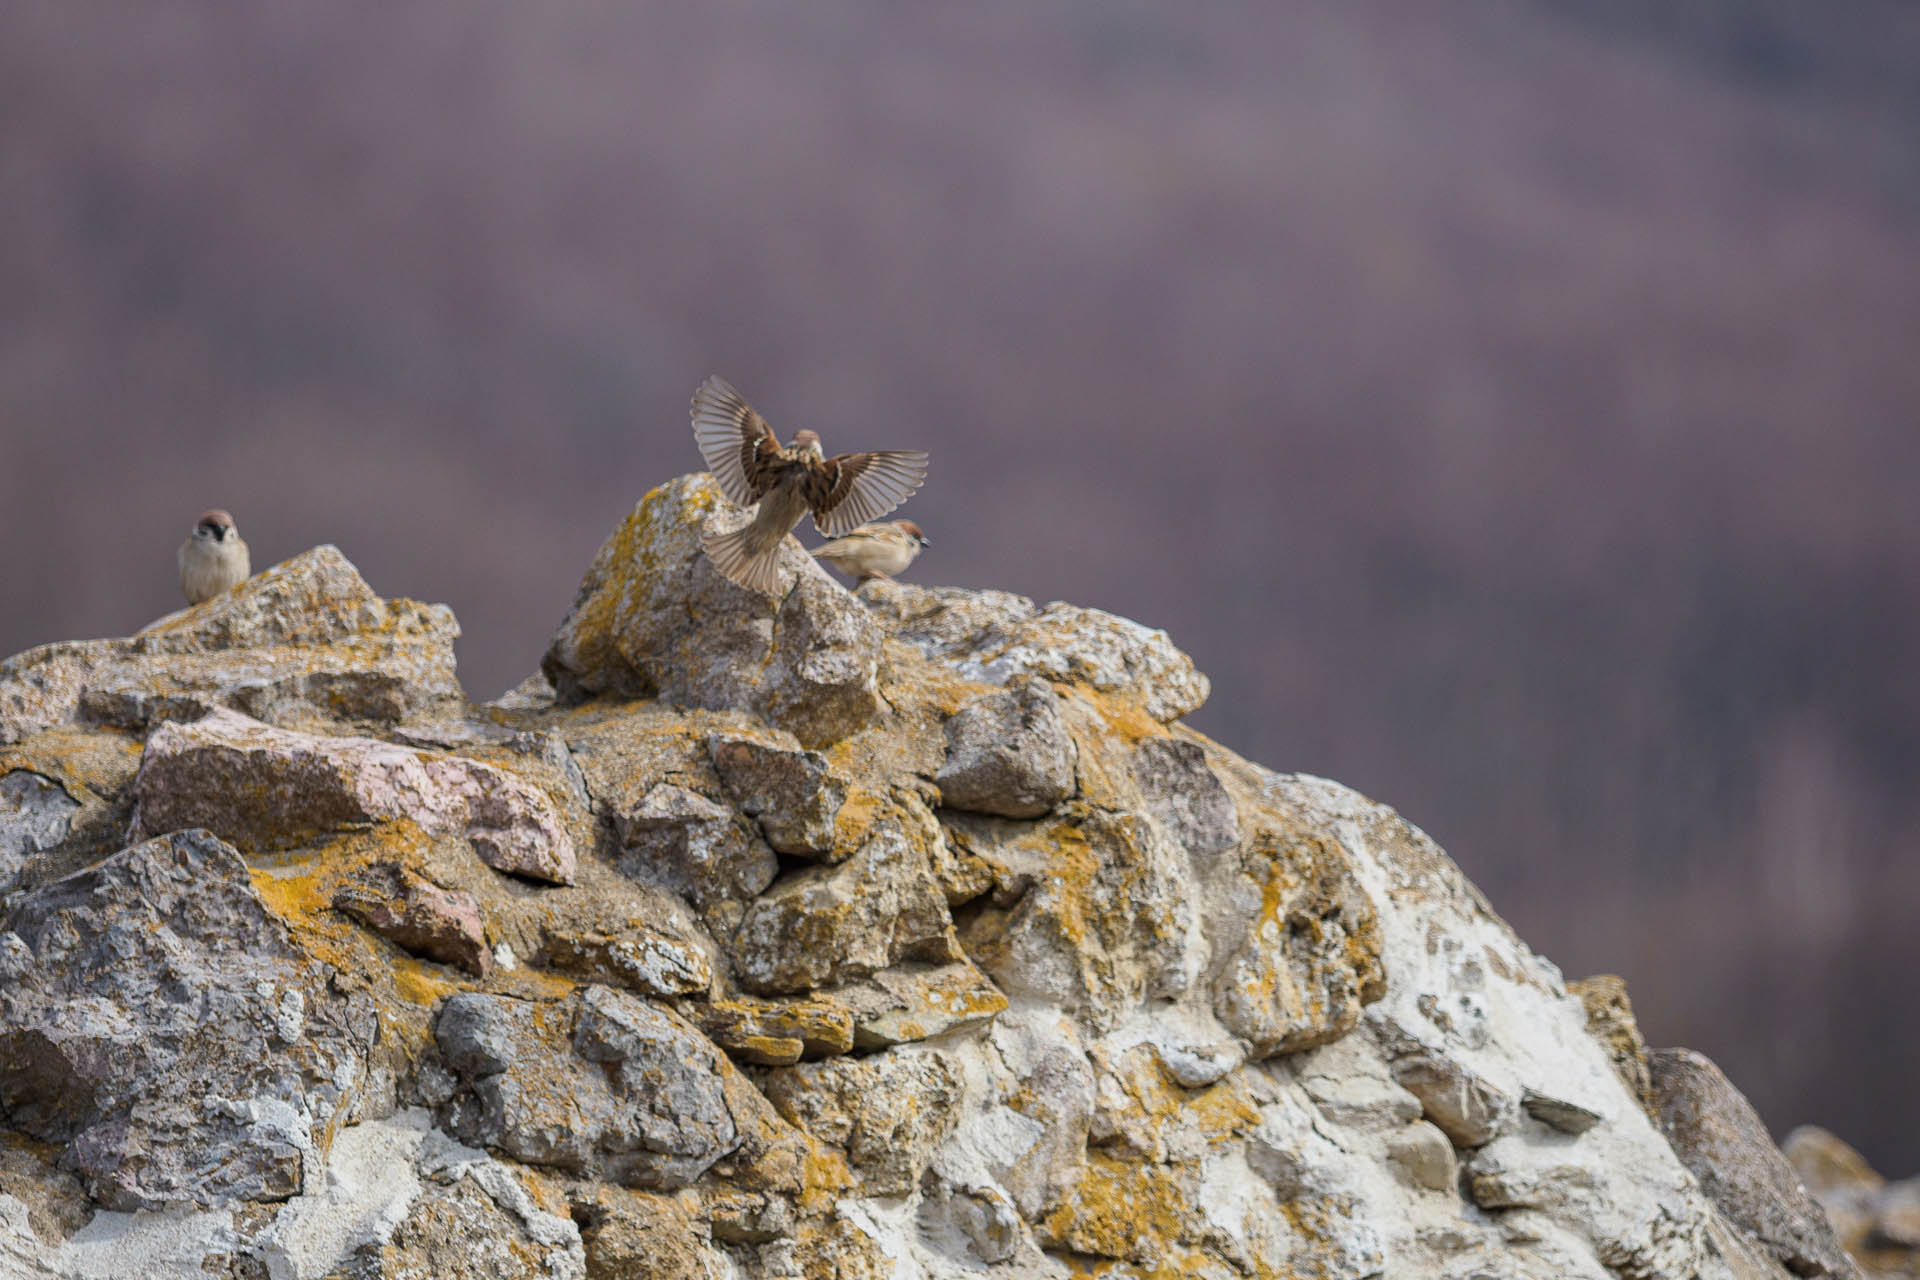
x=744, y=456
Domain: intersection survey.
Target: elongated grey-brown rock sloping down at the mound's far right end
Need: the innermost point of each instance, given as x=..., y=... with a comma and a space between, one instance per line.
x=1719, y=1137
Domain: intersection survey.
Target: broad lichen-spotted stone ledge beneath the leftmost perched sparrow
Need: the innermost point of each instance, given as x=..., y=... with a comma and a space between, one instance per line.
x=306, y=638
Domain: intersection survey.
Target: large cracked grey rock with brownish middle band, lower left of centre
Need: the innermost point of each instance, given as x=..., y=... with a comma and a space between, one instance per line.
x=596, y=1085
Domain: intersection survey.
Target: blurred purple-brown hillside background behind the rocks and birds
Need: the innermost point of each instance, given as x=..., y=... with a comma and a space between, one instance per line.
x=1512, y=404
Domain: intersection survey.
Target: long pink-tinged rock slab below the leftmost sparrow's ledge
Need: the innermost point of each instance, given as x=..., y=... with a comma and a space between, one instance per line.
x=264, y=788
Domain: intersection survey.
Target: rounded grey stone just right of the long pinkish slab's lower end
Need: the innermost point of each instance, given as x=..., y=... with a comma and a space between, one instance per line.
x=684, y=843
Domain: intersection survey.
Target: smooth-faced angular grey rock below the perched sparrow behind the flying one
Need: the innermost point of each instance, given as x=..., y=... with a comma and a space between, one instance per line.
x=1009, y=755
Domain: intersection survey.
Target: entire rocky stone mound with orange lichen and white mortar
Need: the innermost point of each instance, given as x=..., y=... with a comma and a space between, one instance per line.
x=901, y=934
